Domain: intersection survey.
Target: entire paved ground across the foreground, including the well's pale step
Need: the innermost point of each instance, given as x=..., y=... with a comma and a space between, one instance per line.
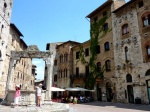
x=85, y=107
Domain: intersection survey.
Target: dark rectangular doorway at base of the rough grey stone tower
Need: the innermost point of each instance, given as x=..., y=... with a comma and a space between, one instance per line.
x=130, y=94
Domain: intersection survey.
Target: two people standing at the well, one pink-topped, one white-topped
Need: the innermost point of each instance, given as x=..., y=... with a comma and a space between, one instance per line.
x=38, y=95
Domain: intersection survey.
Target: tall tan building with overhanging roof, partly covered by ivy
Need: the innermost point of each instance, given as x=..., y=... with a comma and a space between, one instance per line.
x=104, y=88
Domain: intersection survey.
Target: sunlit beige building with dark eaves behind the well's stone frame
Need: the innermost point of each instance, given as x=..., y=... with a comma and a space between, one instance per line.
x=22, y=74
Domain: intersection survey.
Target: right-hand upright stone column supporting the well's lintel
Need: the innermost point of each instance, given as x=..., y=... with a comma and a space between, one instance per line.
x=49, y=74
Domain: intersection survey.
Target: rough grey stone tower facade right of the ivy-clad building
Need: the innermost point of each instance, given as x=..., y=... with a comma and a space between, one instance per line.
x=134, y=65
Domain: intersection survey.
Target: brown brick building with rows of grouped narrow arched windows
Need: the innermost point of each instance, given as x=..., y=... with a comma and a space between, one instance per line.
x=65, y=64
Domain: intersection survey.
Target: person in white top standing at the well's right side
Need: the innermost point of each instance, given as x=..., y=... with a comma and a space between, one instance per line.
x=39, y=94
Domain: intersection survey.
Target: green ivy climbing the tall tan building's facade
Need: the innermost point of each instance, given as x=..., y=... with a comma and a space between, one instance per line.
x=96, y=32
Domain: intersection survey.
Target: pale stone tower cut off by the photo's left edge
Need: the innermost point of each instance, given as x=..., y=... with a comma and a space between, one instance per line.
x=5, y=15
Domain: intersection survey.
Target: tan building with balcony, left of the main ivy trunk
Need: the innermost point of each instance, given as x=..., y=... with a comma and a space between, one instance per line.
x=80, y=70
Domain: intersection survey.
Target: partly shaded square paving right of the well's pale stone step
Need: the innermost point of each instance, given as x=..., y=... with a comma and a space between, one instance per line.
x=108, y=107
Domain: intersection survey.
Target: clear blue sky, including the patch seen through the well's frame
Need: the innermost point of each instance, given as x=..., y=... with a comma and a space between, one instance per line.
x=46, y=21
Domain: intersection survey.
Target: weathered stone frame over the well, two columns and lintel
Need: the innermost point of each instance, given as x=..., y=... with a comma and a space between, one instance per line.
x=31, y=52
